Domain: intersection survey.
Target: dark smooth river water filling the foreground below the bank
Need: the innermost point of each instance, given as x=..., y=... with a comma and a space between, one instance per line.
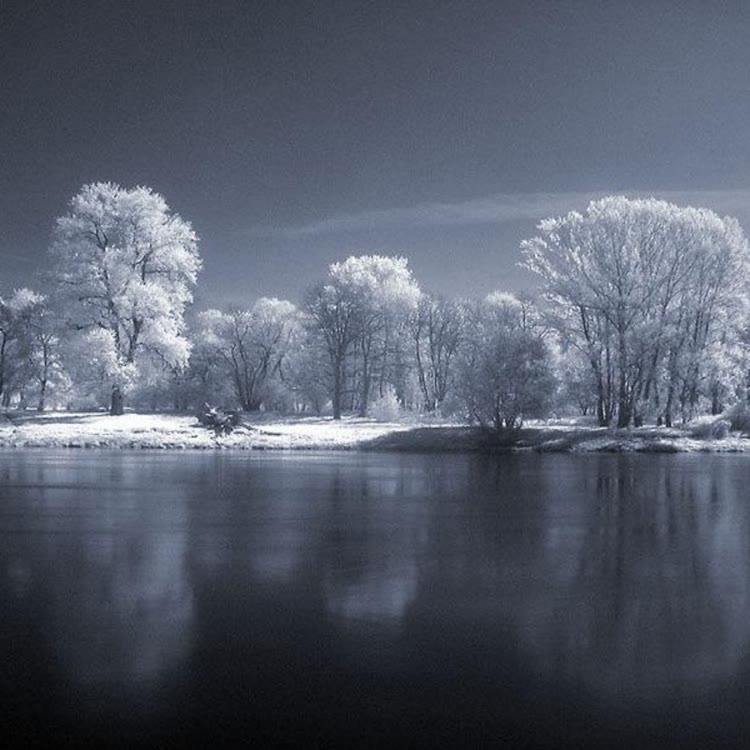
x=363, y=600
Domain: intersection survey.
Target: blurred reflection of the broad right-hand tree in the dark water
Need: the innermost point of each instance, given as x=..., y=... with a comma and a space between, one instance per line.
x=647, y=577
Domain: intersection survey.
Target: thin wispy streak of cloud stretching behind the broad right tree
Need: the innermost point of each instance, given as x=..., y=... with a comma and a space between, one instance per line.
x=497, y=209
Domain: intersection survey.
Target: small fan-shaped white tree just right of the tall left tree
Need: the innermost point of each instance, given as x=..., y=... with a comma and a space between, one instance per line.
x=250, y=345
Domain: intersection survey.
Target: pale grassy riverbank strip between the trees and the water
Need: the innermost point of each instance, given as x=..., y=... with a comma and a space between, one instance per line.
x=270, y=432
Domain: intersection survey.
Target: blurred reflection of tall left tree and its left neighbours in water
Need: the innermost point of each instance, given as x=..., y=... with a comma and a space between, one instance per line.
x=105, y=559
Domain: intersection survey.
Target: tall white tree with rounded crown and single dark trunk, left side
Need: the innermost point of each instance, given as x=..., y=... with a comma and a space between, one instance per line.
x=124, y=267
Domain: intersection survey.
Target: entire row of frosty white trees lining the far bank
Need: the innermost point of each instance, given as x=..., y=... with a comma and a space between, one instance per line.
x=641, y=314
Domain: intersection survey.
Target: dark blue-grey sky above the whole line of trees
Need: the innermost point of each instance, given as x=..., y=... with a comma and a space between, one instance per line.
x=293, y=134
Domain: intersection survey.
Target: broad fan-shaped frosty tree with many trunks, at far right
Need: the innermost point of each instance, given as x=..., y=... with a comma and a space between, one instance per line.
x=640, y=288
